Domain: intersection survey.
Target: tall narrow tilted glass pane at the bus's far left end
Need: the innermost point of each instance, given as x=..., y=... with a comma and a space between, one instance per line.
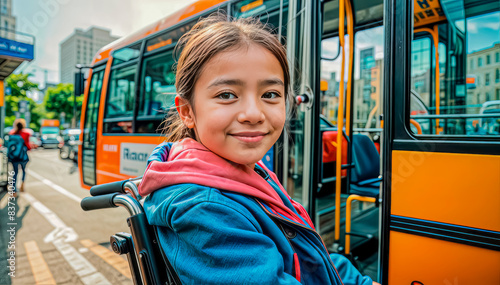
x=90, y=129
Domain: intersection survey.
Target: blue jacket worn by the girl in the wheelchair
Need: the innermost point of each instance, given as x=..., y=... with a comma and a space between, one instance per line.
x=218, y=237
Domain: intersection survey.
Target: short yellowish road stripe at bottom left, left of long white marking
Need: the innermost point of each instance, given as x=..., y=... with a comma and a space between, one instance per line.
x=41, y=271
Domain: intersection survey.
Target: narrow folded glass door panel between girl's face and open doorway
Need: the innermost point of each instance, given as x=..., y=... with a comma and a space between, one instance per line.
x=300, y=137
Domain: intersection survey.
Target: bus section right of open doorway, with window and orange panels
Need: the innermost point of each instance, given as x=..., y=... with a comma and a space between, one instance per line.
x=441, y=217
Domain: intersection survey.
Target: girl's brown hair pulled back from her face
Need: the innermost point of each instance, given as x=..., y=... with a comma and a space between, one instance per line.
x=207, y=38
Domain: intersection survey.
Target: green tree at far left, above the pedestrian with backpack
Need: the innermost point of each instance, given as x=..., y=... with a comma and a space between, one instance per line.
x=20, y=85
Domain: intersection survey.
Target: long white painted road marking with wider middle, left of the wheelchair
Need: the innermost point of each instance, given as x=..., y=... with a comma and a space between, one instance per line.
x=62, y=234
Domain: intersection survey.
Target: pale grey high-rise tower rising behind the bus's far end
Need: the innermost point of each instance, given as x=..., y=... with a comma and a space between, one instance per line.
x=79, y=48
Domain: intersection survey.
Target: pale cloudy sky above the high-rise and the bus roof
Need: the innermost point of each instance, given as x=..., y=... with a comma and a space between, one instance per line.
x=51, y=21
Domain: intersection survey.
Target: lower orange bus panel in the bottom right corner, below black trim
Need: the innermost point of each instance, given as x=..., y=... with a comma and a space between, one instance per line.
x=432, y=261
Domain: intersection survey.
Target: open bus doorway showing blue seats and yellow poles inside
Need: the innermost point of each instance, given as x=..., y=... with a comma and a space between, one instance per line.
x=350, y=98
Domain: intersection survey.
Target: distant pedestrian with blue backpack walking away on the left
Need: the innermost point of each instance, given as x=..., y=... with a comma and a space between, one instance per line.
x=17, y=149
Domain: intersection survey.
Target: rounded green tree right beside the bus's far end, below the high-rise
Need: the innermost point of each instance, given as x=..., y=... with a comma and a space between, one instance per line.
x=59, y=100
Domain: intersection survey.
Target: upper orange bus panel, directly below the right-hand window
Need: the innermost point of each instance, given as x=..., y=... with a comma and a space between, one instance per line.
x=460, y=189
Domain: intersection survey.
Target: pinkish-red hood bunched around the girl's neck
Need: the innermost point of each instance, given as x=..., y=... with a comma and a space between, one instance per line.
x=190, y=162
